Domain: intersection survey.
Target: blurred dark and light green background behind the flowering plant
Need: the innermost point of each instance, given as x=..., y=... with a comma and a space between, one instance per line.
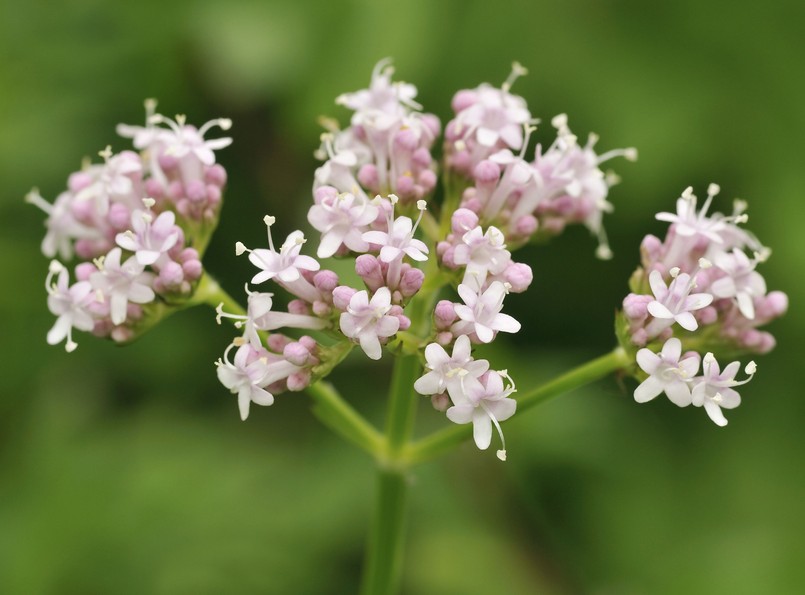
x=127, y=470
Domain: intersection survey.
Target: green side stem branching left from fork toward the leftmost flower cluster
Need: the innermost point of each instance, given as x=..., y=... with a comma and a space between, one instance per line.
x=329, y=407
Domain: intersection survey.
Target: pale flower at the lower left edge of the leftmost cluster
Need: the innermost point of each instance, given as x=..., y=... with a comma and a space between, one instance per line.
x=70, y=303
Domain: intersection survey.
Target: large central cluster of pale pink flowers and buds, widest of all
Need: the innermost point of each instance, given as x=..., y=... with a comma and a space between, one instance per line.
x=372, y=202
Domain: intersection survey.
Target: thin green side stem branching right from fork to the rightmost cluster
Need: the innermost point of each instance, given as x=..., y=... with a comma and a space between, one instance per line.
x=447, y=439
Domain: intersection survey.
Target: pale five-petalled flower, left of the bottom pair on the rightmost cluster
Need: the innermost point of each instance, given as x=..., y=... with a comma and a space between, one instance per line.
x=667, y=373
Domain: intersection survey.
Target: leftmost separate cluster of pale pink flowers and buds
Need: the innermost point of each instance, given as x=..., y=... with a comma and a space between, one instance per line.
x=137, y=224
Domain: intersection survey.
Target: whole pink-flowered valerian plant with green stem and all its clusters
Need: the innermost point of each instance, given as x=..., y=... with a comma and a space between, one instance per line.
x=434, y=274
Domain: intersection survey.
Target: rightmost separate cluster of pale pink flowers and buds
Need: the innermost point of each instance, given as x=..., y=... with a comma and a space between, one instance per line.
x=698, y=290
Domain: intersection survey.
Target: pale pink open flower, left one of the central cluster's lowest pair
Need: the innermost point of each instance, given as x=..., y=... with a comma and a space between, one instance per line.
x=447, y=372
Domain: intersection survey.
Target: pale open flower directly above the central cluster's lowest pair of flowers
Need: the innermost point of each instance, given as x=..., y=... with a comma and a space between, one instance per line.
x=482, y=312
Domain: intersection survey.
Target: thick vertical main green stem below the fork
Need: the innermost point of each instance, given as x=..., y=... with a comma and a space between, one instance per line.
x=385, y=549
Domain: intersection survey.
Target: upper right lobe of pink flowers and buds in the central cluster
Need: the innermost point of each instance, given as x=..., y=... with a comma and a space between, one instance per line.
x=487, y=141
